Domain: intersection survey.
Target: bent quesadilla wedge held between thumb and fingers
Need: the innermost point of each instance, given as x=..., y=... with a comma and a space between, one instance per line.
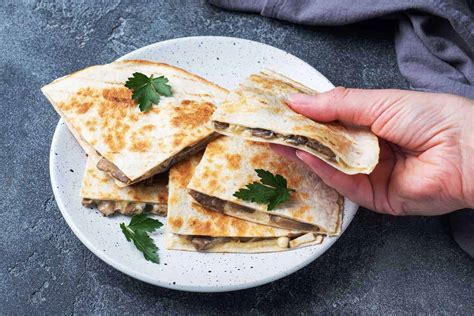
x=257, y=111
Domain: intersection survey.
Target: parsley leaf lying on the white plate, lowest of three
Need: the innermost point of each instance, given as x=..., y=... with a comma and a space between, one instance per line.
x=137, y=232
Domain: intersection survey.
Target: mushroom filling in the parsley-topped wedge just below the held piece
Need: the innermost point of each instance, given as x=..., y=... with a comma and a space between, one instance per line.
x=222, y=206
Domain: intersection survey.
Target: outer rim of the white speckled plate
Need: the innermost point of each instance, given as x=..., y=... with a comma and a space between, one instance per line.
x=350, y=208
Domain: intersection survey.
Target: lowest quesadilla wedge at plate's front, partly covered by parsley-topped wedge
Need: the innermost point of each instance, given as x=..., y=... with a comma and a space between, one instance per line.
x=194, y=228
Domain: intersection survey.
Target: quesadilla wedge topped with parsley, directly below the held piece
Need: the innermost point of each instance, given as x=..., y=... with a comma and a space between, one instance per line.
x=230, y=163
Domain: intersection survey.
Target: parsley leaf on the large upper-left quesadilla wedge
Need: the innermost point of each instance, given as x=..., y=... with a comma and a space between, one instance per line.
x=147, y=90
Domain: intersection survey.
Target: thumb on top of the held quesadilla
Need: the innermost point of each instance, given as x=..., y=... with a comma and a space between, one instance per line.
x=353, y=106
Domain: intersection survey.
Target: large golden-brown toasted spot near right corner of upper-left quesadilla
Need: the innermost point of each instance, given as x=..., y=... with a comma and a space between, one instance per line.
x=190, y=114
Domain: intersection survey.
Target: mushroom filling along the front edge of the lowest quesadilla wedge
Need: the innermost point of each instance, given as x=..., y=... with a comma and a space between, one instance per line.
x=204, y=243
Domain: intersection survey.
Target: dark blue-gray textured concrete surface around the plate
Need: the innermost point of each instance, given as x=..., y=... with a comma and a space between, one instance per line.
x=380, y=265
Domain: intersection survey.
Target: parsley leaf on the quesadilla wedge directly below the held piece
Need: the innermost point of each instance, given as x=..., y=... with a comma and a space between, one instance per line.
x=271, y=190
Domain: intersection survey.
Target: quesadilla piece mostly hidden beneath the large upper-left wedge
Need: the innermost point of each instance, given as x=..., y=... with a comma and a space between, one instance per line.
x=99, y=190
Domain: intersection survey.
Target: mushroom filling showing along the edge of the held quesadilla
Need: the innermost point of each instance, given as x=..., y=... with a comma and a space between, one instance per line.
x=295, y=140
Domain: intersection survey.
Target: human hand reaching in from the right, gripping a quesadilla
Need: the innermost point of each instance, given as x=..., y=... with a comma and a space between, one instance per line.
x=426, y=148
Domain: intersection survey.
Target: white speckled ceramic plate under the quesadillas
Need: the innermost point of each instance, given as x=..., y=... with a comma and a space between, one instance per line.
x=225, y=61
